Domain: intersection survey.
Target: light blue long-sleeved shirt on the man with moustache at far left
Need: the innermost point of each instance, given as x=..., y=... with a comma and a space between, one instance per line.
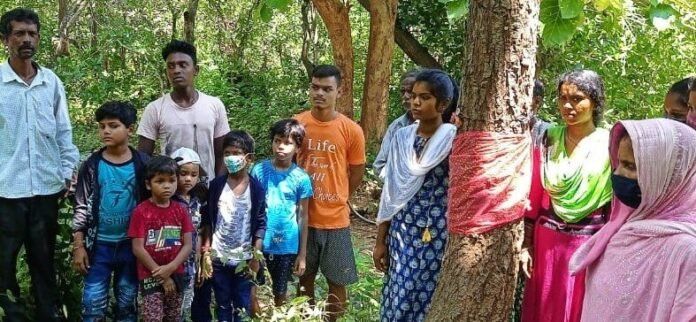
x=36, y=149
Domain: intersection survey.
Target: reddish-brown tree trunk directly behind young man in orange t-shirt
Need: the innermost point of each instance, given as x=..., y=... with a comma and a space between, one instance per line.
x=335, y=16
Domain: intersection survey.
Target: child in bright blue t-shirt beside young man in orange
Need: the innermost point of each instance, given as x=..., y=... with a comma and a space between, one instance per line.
x=288, y=189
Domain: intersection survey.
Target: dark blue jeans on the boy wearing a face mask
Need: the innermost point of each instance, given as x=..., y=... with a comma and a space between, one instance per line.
x=232, y=292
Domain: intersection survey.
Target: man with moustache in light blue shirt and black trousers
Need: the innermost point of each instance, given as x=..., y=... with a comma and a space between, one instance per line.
x=38, y=158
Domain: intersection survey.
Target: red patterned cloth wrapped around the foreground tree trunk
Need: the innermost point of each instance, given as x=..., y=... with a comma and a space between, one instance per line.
x=490, y=177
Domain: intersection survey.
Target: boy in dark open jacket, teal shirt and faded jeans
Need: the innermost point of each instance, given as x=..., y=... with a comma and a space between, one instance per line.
x=109, y=186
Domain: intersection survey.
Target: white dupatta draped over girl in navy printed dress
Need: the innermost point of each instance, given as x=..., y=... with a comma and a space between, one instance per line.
x=405, y=172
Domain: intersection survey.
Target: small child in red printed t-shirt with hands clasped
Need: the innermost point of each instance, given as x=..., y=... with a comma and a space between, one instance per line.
x=161, y=232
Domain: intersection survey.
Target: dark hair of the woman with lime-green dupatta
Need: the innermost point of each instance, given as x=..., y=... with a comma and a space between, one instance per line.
x=590, y=83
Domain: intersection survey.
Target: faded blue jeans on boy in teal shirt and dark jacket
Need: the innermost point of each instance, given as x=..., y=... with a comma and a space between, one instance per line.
x=109, y=259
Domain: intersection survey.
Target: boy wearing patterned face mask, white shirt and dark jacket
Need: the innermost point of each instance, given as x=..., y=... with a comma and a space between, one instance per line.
x=235, y=221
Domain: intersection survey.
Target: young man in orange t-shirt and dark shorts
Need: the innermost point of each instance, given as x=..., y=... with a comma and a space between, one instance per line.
x=333, y=154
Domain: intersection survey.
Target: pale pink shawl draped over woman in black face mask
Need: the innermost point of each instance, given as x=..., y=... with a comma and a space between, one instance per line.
x=642, y=265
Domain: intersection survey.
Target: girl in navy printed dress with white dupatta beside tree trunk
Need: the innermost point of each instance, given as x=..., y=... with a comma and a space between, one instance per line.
x=412, y=215
